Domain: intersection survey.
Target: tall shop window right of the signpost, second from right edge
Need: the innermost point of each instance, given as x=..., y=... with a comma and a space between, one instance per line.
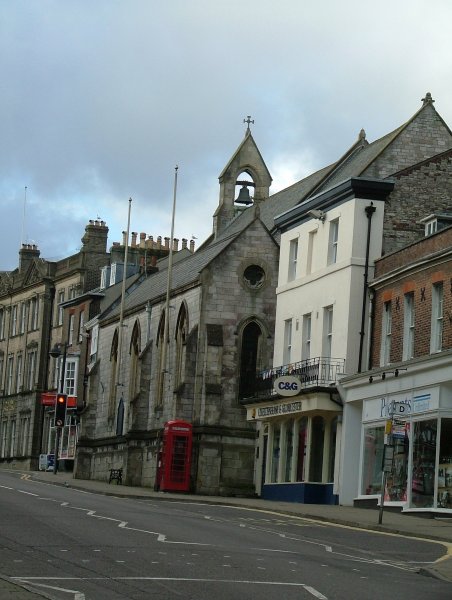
x=424, y=455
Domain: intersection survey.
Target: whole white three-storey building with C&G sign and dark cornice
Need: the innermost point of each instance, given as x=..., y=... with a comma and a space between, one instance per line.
x=328, y=245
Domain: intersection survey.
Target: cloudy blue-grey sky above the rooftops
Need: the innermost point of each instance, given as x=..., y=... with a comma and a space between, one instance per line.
x=100, y=100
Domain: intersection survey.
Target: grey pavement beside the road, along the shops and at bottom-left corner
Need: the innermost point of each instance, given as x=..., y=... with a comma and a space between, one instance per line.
x=431, y=529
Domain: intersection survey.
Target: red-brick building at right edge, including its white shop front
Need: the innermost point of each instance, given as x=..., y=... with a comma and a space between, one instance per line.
x=408, y=388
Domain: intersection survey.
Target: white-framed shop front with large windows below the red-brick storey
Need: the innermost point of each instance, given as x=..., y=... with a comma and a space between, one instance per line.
x=417, y=426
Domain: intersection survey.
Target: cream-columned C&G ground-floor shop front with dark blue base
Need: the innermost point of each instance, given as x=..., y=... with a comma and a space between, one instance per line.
x=296, y=454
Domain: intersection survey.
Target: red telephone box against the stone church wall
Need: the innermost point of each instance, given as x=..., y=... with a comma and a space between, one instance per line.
x=176, y=456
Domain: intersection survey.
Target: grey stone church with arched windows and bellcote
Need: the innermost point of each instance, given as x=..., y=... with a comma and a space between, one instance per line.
x=220, y=326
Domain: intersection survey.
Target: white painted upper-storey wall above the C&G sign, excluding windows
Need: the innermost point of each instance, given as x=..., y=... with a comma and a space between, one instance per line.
x=339, y=285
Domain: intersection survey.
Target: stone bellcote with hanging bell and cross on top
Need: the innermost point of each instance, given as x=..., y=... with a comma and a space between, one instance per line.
x=244, y=182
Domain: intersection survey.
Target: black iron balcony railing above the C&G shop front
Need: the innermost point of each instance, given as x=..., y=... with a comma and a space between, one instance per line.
x=313, y=372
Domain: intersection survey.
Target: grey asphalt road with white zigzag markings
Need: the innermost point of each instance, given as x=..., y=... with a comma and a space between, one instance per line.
x=82, y=546
